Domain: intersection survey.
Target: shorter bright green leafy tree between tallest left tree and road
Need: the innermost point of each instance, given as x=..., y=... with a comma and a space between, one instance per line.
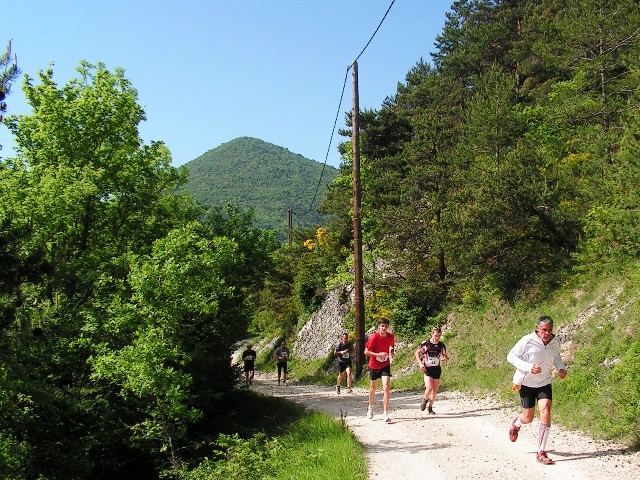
x=172, y=340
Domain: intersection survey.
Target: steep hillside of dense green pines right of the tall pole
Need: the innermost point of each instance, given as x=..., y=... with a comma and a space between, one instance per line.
x=510, y=160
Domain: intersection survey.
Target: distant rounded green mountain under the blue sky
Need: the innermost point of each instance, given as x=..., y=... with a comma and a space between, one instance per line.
x=259, y=176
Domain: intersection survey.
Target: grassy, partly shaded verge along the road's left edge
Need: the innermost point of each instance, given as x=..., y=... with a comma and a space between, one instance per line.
x=271, y=438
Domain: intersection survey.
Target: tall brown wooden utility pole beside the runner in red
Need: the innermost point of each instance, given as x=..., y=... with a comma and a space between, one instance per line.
x=358, y=283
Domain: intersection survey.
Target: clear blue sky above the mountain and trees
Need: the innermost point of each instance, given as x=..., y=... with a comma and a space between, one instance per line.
x=210, y=71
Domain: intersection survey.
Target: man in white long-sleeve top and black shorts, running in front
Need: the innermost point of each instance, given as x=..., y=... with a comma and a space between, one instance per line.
x=537, y=354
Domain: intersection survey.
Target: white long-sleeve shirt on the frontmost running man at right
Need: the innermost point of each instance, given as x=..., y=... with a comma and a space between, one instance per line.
x=530, y=350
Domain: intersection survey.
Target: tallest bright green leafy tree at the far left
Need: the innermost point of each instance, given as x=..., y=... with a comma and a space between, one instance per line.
x=81, y=196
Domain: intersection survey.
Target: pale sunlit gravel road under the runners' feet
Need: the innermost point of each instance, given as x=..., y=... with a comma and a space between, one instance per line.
x=466, y=439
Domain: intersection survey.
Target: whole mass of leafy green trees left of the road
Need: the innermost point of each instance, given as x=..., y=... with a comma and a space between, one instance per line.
x=134, y=304
